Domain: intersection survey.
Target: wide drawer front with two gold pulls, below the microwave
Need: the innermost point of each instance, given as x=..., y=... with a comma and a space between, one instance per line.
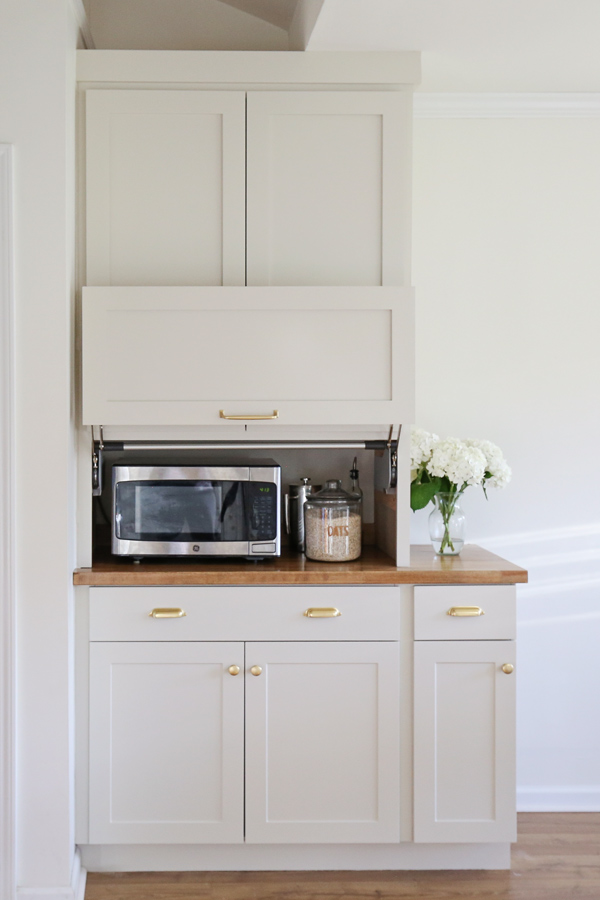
x=368, y=613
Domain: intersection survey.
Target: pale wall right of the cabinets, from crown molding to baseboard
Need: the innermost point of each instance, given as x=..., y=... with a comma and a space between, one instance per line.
x=507, y=275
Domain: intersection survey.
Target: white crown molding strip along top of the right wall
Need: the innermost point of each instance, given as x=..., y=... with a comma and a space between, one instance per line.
x=506, y=106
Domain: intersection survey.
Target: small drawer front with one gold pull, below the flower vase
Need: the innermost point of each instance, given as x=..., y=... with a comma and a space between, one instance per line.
x=434, y=623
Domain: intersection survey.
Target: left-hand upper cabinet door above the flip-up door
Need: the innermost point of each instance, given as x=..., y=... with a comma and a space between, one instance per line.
x=165, y=187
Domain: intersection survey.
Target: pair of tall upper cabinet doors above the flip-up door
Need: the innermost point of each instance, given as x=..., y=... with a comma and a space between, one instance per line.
x=327, y=187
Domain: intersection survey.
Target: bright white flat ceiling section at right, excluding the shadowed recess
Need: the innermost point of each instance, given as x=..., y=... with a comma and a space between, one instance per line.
x=476, y=45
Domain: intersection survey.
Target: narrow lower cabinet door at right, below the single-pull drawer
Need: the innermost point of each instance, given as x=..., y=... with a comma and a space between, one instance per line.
x=464, y=742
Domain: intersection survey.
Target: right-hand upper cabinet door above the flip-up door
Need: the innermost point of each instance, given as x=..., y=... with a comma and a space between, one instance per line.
x=328, y=197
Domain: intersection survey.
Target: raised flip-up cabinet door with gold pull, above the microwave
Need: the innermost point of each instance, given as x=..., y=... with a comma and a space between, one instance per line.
x=209, y=355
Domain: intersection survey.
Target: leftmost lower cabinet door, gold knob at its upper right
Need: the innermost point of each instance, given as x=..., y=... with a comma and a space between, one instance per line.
x=166, y=742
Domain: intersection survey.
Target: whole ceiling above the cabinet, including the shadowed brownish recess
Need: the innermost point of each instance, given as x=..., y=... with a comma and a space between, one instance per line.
x=466, y=45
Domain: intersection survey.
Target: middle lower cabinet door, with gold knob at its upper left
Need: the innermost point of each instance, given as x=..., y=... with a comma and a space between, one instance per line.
x=322, y=742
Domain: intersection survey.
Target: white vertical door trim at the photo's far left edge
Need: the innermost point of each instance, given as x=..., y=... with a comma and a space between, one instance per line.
x=7, y=529
